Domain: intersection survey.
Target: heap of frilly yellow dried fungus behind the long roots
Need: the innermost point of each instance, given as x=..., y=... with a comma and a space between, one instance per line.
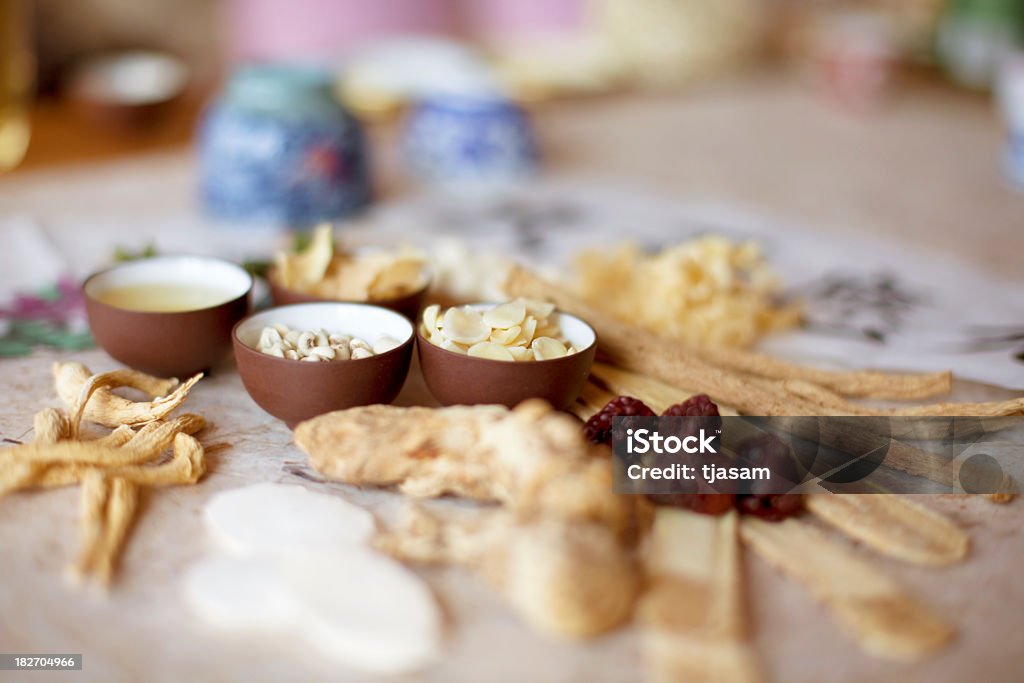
x=709, y=291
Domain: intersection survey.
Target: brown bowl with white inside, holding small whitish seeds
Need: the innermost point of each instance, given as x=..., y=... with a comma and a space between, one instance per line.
x=295, y=391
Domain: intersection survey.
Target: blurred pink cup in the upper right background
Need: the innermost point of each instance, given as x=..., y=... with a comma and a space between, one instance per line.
x=856, y=59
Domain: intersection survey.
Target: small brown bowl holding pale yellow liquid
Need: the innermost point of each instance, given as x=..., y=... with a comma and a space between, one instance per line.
x=168, y=344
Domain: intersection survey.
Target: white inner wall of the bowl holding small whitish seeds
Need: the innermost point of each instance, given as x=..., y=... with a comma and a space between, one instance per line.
x=362, y=321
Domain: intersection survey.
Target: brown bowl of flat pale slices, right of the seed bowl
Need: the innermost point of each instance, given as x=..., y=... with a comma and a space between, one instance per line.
x=454, y=378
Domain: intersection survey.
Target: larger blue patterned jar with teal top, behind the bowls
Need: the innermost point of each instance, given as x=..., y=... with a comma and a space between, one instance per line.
x=278, y=149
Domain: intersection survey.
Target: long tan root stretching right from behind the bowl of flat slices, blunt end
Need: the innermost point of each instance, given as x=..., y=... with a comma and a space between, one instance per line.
x=699, y=365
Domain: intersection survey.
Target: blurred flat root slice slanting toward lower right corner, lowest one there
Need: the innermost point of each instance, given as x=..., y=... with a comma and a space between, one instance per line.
x=876, y=612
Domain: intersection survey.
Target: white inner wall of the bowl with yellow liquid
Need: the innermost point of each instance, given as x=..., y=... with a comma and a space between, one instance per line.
x=208, y=273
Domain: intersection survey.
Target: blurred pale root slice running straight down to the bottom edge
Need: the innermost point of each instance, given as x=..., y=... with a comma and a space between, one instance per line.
x=693, y=616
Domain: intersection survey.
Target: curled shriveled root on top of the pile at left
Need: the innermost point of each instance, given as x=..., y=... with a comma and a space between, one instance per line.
x=91, y=397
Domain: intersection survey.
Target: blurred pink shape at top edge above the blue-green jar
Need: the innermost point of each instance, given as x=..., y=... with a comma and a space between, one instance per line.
x=320, y=30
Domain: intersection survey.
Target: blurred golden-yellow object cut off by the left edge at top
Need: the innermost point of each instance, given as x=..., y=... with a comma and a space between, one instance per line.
x=17, y=67
